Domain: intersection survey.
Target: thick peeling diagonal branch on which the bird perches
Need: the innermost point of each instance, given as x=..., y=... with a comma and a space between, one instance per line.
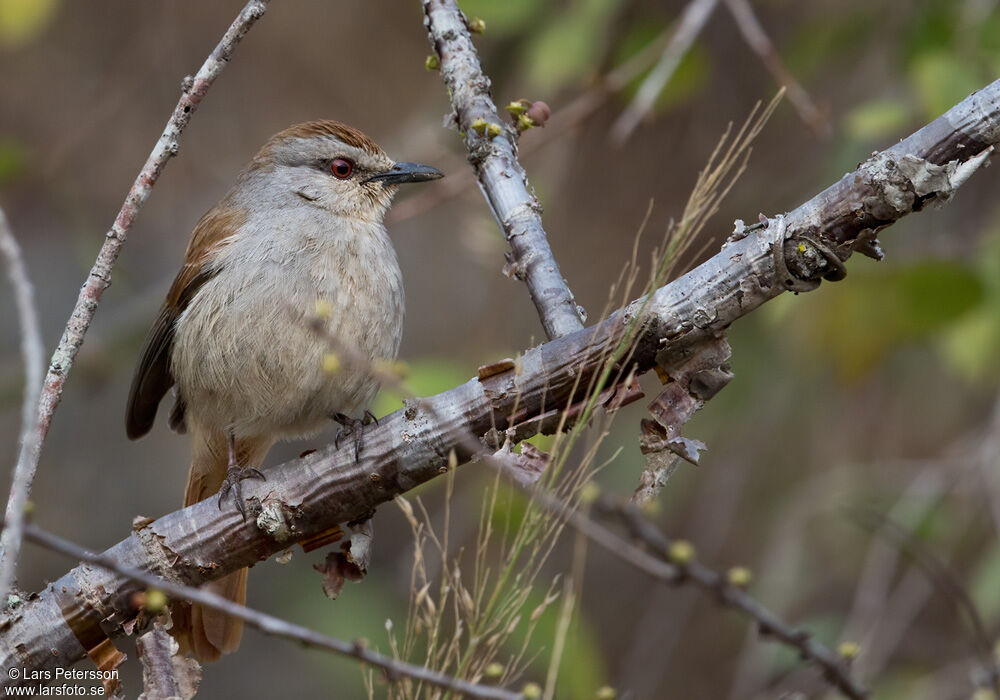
x=305, y=497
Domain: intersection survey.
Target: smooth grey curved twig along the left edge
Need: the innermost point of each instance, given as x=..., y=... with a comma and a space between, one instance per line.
x=33, y=353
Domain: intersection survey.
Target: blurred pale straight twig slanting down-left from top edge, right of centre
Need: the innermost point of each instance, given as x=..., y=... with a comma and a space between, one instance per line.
x=693, y=20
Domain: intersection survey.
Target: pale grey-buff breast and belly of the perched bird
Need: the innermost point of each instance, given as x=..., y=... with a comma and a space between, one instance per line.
x=245, y=357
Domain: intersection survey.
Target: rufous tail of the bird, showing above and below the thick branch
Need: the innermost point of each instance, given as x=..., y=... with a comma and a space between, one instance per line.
x=203, y=633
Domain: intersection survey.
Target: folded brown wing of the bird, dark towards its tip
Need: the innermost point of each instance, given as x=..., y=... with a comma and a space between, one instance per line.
x=152, y=378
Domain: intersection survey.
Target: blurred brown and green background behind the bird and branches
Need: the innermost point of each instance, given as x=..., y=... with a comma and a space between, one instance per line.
x=878, y=393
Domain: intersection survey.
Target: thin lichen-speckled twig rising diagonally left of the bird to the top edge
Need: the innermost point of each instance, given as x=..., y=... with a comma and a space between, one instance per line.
x=194, y=90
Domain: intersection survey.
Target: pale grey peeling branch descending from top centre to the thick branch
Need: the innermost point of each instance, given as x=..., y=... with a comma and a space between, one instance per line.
x=493, y=154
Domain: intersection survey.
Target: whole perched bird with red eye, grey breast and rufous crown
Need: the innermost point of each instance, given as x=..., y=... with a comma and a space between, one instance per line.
x=301, y=229
